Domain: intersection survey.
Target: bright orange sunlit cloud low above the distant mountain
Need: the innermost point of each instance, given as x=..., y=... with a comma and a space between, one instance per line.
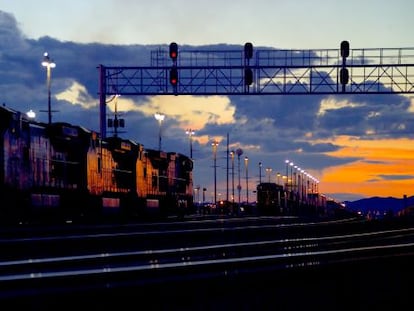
x=384, y=168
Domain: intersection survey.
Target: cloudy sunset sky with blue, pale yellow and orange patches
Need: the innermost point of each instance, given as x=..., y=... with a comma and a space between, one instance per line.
x=357, y=146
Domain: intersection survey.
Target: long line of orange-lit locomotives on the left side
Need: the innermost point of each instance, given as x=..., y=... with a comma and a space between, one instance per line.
x=61, y=171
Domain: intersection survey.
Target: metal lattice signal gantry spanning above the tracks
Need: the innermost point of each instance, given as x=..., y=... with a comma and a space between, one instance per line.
x=275, y=72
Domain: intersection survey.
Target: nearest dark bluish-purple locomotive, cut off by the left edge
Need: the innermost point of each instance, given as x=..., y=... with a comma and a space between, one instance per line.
x=42, y=172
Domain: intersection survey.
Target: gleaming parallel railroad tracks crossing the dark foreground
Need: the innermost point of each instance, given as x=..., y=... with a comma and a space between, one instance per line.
x=180, y=256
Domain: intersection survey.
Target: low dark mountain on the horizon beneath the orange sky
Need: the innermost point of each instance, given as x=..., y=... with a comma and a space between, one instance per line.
x=379, y=205
